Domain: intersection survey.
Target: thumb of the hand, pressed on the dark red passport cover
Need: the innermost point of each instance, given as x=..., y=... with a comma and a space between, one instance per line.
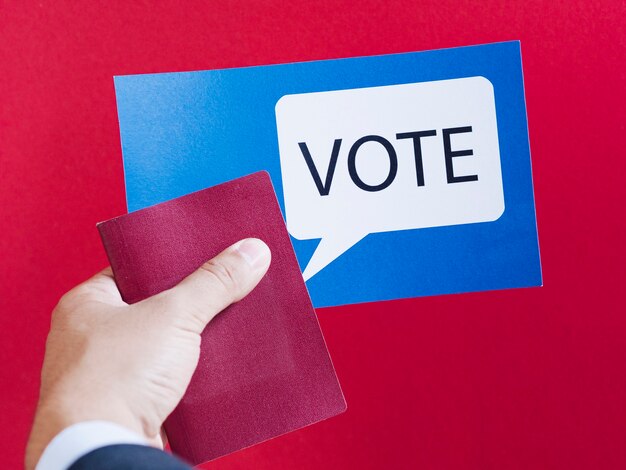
x=225, y=279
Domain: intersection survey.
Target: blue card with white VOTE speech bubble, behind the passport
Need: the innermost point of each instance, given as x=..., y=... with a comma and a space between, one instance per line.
x=399, y=176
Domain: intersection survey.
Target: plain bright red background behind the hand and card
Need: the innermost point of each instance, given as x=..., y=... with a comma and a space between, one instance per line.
x=530, y=378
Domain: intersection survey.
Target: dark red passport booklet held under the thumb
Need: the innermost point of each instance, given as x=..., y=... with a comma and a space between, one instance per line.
x=264, y=368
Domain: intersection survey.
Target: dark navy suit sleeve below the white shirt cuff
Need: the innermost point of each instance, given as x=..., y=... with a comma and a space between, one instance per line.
x=128, y=457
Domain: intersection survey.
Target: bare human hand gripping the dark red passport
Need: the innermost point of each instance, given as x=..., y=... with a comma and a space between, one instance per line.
x=131, y=364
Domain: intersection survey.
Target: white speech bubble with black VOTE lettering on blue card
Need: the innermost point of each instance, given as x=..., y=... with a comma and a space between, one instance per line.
x=358, y=132
